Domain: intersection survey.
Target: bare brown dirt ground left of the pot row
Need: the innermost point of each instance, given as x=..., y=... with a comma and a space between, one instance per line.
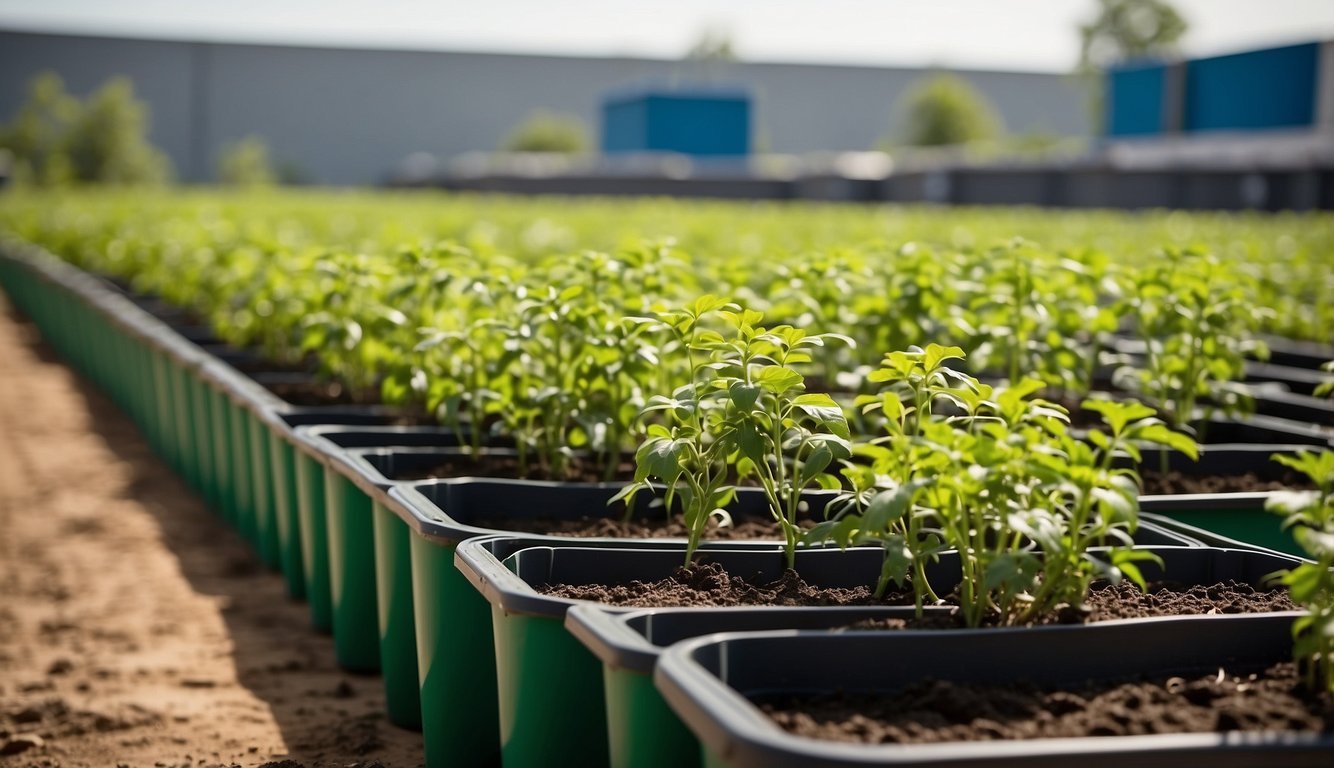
x=135, y=627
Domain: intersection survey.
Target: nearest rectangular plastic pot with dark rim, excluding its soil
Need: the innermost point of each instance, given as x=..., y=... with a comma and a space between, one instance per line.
x=708, y=682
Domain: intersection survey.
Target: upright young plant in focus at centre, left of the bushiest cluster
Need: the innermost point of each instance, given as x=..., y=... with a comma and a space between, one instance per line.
x=745, y=414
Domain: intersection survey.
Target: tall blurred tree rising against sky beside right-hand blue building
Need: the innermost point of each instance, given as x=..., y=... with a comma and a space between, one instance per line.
x=1123, y=31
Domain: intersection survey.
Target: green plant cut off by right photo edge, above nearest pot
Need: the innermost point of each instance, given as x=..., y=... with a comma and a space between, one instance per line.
x=1311, y=517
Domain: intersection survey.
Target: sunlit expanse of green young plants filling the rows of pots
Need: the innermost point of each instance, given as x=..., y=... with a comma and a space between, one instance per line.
x=980, y=387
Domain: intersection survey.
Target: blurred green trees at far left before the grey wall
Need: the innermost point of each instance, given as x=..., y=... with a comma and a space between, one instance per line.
x=57, y=139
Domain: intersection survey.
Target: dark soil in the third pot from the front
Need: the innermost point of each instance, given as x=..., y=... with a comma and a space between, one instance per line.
x=709, y=585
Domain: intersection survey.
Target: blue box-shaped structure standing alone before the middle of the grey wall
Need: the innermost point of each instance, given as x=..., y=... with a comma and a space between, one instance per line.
x=701, y=123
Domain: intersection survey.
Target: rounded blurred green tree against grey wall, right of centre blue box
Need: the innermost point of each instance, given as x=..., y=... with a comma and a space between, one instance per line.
x=945, y=110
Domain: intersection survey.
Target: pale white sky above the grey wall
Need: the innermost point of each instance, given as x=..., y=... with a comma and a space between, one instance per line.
x=1033, y=35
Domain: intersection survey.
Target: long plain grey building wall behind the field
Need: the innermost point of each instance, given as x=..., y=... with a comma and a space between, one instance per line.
x=349, y=117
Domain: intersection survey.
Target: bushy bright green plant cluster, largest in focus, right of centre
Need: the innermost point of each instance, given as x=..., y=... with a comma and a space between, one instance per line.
x=997, y=477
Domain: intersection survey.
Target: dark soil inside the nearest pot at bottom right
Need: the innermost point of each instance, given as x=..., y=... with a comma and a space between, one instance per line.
x=933, y=711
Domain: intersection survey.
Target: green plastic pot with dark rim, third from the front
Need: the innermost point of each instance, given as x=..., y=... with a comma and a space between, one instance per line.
x=506, y=569
